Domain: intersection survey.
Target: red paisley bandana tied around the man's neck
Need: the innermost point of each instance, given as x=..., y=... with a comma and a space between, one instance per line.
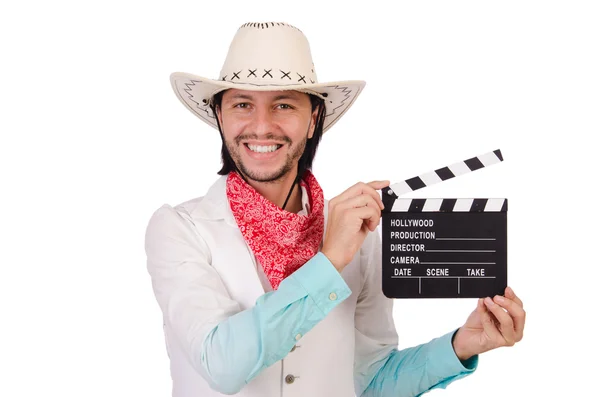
x=281, y=241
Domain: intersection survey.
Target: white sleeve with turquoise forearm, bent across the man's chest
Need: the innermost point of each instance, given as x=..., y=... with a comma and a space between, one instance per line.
x=228, y=346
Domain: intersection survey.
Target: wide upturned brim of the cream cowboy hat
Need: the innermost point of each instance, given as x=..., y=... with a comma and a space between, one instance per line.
x=196, y=92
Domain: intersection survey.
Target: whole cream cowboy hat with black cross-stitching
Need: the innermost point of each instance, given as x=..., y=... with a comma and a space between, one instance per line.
x=268, y=56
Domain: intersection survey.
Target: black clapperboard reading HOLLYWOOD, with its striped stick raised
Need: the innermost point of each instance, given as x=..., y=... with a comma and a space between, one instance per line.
x=444, y=247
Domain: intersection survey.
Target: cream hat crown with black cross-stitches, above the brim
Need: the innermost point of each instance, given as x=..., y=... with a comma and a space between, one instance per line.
x=269, y=53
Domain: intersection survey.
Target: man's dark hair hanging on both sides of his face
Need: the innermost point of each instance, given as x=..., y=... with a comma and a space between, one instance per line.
x=305, y=161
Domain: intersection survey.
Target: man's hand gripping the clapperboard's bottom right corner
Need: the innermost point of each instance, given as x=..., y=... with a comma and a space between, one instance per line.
x=494, y=323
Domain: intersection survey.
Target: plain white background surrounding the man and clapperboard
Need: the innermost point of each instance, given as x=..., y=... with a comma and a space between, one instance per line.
x=94, y=140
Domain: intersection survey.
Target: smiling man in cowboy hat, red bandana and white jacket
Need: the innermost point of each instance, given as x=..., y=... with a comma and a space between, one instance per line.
x=266, y=288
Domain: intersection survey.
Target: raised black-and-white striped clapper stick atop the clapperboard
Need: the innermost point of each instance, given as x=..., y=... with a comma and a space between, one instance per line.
x=391, y=193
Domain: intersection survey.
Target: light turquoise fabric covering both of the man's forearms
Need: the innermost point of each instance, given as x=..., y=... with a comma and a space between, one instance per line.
x=300, y=302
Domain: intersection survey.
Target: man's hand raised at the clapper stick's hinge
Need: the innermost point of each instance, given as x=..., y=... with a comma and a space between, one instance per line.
x=351, y=215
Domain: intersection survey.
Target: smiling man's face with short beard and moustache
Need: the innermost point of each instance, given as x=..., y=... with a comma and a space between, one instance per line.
x=266, y=131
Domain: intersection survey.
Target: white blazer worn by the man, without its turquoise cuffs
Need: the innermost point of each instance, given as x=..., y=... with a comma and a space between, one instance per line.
x=204, y=272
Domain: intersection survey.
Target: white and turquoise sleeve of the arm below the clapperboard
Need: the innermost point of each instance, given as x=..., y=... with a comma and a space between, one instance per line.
x=380, y=369
